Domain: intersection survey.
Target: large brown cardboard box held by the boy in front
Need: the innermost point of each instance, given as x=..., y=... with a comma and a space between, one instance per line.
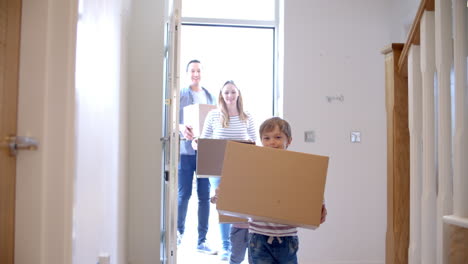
x=272, y=185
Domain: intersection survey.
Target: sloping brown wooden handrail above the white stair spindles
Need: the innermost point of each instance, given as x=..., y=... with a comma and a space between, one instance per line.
x=413, y=36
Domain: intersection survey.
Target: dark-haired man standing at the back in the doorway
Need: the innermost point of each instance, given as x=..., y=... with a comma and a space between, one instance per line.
x=194, y=94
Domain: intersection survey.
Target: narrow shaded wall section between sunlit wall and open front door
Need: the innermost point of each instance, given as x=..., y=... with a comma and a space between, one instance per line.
x=145, y=97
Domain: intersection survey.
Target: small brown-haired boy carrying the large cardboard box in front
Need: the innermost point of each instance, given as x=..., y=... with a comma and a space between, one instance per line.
x=270, y=242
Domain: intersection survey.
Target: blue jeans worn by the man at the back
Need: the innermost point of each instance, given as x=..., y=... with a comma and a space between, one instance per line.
x=187, y=167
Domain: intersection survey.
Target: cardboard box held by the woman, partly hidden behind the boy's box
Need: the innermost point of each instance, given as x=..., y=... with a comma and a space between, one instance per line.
x=210, y=156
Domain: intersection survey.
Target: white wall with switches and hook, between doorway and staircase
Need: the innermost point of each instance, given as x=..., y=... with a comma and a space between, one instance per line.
x=332, y=48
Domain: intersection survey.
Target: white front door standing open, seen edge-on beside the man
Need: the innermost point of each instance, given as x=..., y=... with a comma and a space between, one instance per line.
x=171, y=132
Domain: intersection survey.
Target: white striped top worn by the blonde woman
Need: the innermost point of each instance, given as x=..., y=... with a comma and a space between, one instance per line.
x=236, y=130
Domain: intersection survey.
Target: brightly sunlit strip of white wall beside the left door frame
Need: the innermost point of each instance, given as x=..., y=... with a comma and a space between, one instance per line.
x=101, y=139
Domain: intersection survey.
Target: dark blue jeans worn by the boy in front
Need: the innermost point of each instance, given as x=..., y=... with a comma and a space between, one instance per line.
x=279, y=250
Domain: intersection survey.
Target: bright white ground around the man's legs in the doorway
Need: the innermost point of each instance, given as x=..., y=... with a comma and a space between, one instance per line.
x=187, y=250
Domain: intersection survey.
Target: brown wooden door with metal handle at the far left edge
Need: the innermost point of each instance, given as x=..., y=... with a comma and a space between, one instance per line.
x=10, y=17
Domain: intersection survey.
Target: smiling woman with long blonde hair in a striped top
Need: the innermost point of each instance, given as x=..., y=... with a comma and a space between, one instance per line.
x=231, y=122
